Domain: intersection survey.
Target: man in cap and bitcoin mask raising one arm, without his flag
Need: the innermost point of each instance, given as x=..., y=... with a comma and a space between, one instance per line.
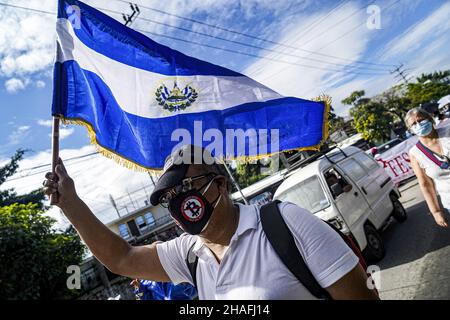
x=235, y=259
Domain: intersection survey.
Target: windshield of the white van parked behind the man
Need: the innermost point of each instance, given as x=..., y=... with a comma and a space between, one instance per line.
x=307, y=194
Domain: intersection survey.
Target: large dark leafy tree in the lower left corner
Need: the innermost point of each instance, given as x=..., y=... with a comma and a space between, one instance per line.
x=33, y=257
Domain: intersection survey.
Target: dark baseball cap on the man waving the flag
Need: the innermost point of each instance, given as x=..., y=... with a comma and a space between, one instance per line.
x=176, y=166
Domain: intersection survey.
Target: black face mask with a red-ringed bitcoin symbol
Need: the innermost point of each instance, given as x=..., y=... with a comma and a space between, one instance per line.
x=192, y=210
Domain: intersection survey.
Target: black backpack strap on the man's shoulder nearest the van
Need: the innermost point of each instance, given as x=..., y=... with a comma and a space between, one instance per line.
x=282, y=241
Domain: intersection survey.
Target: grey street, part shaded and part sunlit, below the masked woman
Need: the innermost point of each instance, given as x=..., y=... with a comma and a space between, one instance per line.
x=417, y=262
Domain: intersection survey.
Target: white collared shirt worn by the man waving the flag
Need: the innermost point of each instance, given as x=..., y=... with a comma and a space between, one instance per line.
x=250, y=268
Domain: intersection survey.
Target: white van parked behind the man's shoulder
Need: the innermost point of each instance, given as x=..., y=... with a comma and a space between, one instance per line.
x=349, y=189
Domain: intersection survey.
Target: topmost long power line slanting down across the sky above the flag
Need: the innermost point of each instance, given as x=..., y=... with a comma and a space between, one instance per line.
x=252, y=36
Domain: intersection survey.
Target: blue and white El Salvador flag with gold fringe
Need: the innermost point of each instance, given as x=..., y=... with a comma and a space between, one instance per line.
x=132, y=93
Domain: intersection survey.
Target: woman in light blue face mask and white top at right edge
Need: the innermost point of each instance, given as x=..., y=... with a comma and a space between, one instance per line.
x=430, y=162
